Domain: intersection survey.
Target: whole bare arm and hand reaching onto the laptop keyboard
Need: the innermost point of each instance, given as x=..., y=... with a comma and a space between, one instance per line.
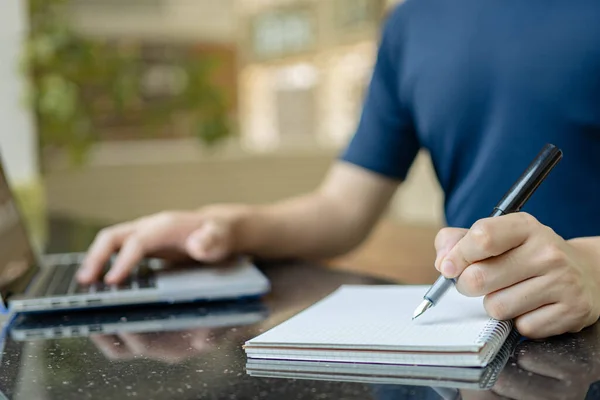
x=327, y=222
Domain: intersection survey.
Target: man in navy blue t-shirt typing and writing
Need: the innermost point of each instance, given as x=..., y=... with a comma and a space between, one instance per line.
x=482, y=85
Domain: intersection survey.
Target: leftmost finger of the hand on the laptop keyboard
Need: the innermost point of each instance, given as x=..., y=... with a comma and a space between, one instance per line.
x=106, y=243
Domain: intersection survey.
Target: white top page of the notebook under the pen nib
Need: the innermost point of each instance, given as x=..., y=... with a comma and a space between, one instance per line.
x=380, y=317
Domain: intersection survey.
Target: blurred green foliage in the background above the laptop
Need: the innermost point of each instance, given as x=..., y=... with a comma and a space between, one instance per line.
x=79, y=86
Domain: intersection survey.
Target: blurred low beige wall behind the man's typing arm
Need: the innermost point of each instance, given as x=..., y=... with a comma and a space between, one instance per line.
x=127, y=180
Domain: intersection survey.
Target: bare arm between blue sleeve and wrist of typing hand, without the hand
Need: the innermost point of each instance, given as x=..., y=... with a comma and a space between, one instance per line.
x=328, y=222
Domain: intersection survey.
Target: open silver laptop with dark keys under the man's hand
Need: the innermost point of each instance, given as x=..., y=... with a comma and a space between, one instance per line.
x=32, y=283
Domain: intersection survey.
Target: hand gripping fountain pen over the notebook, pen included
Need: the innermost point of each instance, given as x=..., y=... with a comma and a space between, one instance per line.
x=525, y=270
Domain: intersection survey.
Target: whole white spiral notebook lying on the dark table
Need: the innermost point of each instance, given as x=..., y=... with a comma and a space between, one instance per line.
x=373, y=324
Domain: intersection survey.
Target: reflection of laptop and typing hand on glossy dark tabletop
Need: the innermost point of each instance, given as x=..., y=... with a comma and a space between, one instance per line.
x=169, y=333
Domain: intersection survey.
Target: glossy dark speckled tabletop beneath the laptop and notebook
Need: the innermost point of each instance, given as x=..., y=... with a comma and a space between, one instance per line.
x=182, y=359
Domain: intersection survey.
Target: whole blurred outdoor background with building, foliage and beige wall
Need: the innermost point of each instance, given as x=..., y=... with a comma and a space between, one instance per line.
x=113, y=109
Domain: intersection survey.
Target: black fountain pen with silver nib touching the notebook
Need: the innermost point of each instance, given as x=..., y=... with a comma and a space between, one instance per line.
x=512, y=201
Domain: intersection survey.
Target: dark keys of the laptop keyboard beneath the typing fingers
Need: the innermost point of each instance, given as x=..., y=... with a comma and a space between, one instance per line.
x=64, y=282
